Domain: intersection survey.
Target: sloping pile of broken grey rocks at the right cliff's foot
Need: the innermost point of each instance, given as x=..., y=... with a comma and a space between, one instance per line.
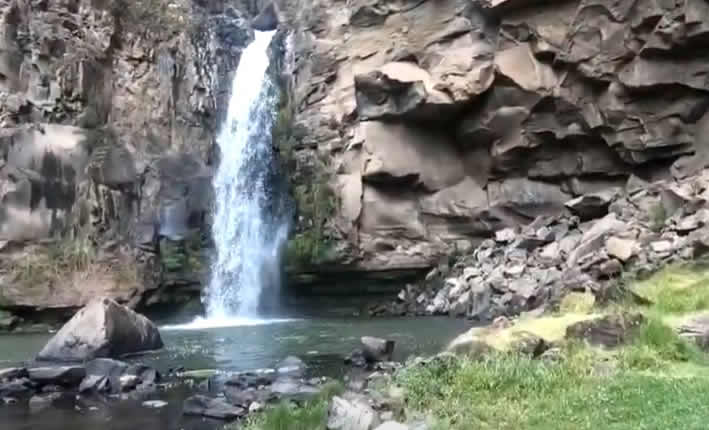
x=641, y=228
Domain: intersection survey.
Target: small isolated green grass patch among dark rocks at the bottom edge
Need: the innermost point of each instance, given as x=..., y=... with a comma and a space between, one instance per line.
x=311, y=415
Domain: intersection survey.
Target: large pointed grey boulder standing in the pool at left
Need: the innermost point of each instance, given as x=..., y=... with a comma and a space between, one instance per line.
x=102, y=329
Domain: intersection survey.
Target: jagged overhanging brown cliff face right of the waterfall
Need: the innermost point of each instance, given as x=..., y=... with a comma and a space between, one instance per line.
x=435, y=123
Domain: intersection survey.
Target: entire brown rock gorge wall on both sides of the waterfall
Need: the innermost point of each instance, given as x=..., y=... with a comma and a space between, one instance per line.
x=410, y=130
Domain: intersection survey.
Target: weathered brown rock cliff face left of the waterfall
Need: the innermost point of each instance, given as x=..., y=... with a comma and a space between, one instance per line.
x=109, y=111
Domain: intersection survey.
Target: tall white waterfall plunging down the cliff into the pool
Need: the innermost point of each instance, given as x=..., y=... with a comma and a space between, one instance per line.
x=250, y=221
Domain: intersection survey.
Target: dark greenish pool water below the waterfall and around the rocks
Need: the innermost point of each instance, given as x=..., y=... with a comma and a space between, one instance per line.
x=320, y=342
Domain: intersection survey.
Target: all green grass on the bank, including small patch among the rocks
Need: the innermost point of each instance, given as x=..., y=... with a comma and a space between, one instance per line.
x=657, y=380
